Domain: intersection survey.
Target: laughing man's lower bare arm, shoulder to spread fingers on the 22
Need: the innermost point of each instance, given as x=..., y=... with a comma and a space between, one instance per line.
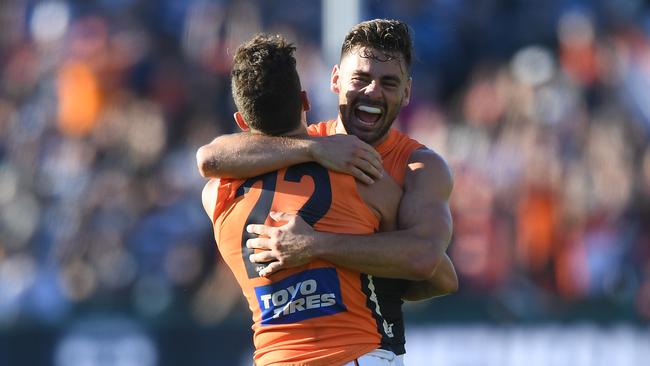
x=413, y=252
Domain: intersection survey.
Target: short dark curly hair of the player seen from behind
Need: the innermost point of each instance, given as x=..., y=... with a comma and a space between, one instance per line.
x=265, y=84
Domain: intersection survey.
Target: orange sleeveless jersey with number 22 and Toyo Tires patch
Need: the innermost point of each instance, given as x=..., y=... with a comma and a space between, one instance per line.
x=315, y=314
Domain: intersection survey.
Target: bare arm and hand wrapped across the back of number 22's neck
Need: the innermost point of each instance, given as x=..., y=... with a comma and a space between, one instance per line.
x=244, y=155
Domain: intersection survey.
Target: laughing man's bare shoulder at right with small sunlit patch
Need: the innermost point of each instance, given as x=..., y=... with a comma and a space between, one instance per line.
x=426, y=169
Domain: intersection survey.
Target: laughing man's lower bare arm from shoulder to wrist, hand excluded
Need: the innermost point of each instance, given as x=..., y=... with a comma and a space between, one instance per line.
x=424, y=219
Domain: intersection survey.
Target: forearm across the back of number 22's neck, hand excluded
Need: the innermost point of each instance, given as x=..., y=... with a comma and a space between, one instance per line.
x=243, y=155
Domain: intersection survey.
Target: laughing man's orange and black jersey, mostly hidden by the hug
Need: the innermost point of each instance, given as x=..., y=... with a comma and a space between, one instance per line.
x=395, y=152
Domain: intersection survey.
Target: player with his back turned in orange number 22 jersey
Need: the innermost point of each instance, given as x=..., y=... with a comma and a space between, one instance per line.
x=317, y=313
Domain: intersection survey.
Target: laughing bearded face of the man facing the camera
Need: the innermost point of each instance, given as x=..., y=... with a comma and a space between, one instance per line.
x=372, y=86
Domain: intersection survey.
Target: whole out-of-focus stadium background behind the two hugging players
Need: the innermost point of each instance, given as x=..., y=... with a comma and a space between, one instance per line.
x=542, y=109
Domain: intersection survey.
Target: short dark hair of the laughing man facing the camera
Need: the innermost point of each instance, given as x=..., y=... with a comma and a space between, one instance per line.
x=386, y=35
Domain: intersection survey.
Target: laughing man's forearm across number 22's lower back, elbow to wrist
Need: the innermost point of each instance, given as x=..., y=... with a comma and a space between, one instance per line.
x=397, y=254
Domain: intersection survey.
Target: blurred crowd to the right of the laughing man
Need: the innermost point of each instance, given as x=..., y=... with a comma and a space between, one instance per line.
x=549, y=149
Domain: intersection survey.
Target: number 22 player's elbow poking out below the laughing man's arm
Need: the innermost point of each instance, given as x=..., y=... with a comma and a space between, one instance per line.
x=443, y=282
